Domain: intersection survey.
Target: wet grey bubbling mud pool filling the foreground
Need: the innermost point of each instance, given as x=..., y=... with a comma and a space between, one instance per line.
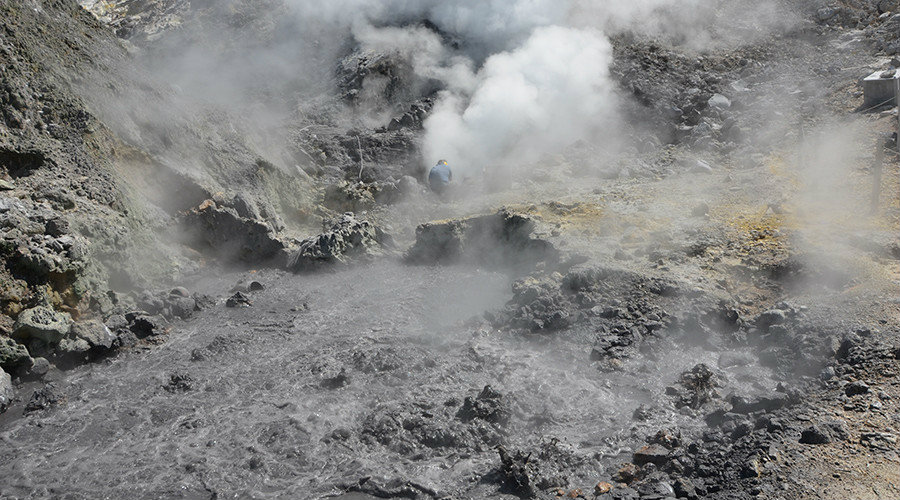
x=331, y=378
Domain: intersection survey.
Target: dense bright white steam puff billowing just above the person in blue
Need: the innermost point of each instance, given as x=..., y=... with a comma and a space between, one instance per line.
x=548, y=93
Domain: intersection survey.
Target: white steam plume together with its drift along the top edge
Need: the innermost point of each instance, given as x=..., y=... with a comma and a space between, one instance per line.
x=530, y=76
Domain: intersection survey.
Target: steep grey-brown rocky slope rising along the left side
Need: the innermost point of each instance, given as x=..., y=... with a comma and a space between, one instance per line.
x=99, y=168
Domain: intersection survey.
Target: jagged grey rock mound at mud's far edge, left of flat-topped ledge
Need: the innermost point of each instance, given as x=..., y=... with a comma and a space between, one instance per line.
x=345, y=240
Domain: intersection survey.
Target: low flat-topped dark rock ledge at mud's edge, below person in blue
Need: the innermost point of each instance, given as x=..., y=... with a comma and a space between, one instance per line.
x=503, y=240
